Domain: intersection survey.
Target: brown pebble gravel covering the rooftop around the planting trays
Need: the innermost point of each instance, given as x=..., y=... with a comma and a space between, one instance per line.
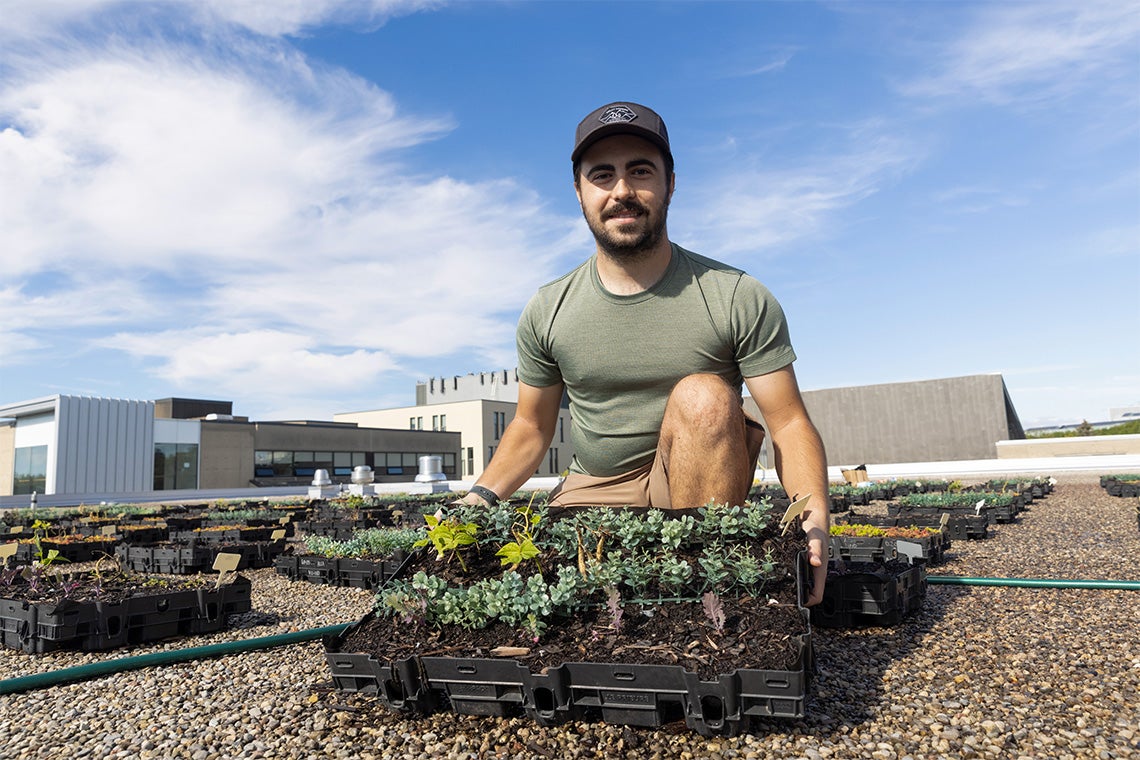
x=979, y=673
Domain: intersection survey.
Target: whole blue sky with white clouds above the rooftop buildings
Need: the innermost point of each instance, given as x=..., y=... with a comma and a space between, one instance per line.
x=306, y=208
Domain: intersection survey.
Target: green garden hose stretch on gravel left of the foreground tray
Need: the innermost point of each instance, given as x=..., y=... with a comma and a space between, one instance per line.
x=110, y=667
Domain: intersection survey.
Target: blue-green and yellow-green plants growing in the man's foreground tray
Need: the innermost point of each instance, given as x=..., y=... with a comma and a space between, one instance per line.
x=606, y=555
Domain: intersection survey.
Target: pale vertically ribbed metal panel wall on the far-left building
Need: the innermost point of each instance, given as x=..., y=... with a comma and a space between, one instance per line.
x=105, y=446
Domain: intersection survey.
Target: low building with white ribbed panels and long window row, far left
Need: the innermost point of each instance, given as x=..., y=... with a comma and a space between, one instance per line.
x=79, y=445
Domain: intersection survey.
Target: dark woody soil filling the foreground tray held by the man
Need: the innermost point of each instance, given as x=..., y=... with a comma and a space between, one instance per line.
x=756, y=634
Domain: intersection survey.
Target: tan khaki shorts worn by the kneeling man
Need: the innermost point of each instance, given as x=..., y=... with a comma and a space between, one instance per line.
x=646, y=487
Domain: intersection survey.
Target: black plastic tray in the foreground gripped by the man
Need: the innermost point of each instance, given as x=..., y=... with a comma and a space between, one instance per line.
x=628, y=694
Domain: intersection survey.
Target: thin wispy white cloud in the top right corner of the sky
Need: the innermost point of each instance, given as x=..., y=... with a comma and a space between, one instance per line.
x=1036, y=52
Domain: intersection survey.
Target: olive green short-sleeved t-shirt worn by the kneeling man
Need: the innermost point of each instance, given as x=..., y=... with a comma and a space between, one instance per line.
x=620, y=357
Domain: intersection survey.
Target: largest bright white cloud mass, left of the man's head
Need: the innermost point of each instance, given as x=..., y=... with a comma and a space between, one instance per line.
x=247, y=222
